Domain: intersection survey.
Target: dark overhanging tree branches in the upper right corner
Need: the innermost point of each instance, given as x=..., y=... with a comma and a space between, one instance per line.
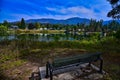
x=115, y=12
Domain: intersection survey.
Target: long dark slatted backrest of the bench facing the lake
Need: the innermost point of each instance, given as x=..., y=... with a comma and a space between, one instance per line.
x=83, y=58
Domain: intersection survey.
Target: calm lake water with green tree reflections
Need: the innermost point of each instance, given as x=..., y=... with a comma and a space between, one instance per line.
x=43, y=37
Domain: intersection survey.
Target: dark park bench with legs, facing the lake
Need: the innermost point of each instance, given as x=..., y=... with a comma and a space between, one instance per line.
x=63, y=63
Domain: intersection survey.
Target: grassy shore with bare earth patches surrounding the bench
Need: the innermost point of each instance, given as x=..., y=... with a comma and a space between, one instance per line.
x=18, y=58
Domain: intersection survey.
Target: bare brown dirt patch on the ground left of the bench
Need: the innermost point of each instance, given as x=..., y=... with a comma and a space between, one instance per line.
x=23, y=72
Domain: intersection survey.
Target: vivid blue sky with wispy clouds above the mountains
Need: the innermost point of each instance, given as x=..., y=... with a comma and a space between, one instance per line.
x=14, y=10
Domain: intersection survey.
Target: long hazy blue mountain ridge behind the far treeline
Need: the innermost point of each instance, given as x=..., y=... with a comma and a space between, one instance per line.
x=73, y=20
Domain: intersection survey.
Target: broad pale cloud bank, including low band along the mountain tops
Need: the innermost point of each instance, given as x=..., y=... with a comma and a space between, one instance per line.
x=77, y=11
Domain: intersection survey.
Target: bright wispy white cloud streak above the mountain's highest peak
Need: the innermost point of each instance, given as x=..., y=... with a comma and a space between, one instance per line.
x=79, y=11
